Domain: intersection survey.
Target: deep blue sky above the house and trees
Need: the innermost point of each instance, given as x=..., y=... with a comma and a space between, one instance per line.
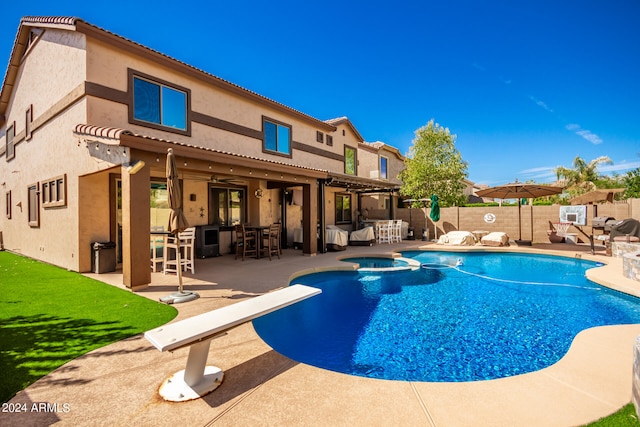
x=526, y=86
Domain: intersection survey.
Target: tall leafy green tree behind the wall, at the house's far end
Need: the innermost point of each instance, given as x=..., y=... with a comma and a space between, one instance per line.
x=434, y=166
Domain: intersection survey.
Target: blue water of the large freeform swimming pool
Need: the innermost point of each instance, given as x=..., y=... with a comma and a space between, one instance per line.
x=493, y=316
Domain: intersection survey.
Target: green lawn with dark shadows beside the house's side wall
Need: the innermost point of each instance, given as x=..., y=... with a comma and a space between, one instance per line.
x=49, y=316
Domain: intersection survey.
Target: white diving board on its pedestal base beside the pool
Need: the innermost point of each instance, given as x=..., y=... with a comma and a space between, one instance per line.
x=196, y=332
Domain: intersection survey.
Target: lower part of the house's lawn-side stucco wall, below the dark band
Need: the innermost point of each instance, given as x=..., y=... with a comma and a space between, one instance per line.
x=52, y=152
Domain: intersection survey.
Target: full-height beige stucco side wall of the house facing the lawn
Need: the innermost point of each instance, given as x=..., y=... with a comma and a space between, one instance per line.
x=51, y=152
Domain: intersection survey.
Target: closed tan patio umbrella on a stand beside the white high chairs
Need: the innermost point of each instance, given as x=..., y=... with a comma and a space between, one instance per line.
x=177, y=224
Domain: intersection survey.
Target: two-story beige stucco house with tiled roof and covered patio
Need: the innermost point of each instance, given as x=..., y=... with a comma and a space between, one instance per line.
x=87, y=117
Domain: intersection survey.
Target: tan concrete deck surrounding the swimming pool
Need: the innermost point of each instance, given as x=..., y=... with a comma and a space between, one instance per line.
x=117, y=385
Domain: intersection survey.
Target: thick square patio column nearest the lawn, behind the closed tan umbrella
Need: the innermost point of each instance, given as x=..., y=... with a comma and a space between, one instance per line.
x=136, y=225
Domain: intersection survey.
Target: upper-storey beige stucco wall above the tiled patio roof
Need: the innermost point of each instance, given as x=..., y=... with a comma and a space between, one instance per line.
x=108, y=66
